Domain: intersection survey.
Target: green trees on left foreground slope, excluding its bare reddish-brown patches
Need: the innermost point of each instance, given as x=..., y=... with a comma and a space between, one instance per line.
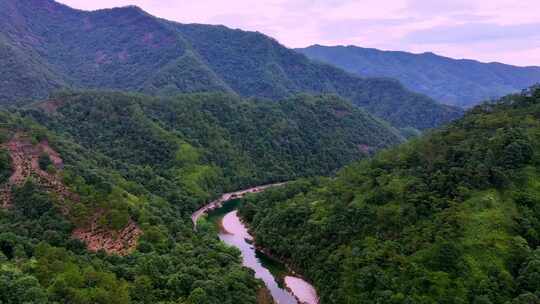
x=41, y=263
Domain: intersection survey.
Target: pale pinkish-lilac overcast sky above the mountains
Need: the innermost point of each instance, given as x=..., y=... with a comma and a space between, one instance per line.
x=488, y=30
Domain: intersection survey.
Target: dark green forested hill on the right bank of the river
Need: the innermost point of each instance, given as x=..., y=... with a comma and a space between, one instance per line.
x=451, y=217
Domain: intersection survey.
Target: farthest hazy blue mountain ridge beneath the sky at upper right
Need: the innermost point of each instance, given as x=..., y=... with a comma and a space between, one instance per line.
x=463, y=83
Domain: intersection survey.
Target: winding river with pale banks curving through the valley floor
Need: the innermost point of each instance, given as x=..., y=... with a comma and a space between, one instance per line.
x=285, y=289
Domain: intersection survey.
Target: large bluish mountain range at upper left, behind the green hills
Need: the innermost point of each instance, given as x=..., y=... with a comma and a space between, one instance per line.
x=47, y=45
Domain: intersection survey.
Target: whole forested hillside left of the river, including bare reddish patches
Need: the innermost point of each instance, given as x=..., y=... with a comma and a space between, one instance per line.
x=121, y=173
